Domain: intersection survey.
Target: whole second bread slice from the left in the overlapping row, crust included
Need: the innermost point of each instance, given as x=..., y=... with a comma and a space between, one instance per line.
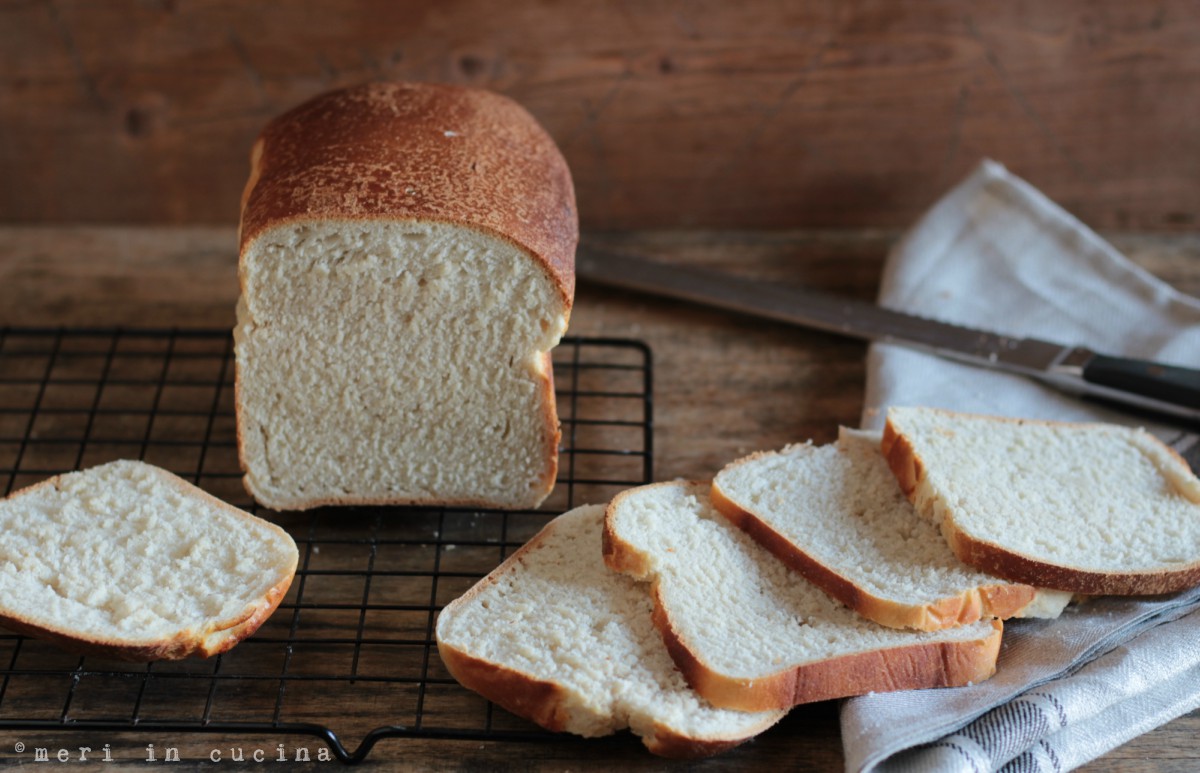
x=751, y=634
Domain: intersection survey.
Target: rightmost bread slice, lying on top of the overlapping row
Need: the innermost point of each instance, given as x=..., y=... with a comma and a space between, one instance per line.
x=1089, y=508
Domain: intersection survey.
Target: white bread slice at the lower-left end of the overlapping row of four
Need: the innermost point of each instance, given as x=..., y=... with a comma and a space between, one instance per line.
x=554, y=637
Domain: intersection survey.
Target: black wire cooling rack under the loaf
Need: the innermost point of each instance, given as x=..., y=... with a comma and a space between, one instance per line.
x=356, y=631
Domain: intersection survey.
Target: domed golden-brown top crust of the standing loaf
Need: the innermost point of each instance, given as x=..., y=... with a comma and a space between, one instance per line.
x=415, y=152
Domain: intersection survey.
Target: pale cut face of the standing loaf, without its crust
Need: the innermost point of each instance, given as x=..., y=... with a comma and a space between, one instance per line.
x=395, y=363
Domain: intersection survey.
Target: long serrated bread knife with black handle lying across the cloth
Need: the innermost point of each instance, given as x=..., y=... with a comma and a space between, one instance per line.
x=1166, y=390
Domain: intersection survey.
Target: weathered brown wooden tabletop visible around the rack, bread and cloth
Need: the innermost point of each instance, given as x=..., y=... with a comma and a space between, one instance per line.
x=725, y=386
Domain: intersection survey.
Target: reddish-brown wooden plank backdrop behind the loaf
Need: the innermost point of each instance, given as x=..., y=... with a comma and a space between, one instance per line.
x=673, y=113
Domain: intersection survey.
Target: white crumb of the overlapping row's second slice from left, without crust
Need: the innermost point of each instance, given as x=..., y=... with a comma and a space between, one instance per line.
x=740, y=610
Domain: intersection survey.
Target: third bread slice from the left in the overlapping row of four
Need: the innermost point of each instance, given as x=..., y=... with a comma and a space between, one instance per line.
x=836, y=516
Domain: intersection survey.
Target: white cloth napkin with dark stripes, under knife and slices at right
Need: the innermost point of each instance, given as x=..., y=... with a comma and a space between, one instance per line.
x=997, y=254
